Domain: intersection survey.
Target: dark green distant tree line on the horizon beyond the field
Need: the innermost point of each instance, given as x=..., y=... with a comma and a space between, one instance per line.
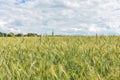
x=11, y=34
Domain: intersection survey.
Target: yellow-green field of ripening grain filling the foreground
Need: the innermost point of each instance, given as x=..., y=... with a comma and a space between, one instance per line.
x=60, y=58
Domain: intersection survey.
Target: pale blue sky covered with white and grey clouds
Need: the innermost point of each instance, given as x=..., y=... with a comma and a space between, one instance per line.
x=64, y=17
